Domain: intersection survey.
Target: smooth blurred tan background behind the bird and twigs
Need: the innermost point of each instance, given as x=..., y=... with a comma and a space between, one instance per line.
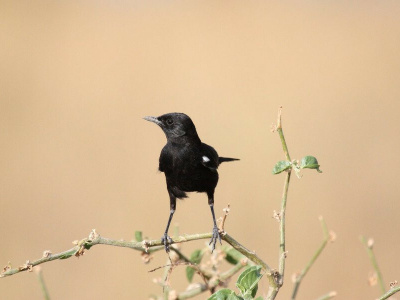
x=78, y=76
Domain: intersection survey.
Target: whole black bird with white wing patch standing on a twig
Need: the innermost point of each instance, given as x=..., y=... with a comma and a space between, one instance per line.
x=189, y=165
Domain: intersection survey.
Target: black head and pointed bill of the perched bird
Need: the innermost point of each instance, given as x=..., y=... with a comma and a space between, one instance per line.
x=175, y=125
